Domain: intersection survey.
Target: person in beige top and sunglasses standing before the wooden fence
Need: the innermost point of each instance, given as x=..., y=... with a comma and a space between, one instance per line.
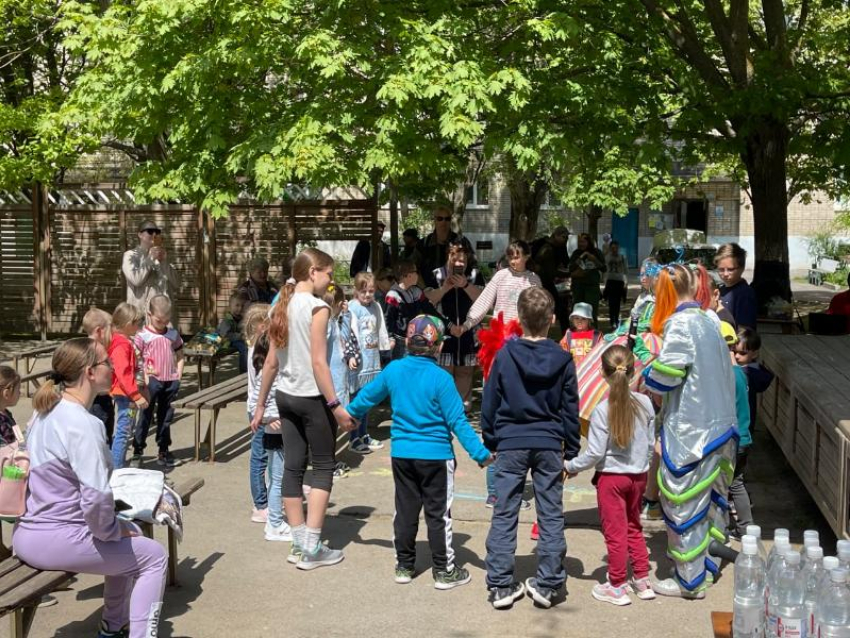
x=147, y=270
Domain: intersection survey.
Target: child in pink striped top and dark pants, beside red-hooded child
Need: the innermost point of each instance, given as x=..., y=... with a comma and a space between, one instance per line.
x=161, y=348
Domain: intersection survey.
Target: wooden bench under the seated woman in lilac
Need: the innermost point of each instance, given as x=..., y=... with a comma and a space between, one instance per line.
x=22, y=587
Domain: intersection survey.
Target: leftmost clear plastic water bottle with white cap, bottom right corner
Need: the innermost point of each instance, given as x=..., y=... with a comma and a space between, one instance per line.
x=748, y=608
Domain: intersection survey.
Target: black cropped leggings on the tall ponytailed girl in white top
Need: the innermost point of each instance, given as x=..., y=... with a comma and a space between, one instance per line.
x=309, y=430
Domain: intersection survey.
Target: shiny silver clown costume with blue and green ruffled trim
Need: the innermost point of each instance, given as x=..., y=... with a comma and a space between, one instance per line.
x=699, y=439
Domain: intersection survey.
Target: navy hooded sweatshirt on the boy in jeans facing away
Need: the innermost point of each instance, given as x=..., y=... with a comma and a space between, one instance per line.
x=531, y=399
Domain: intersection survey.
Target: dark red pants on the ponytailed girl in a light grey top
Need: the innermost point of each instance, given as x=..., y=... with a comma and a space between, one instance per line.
x=619, y=496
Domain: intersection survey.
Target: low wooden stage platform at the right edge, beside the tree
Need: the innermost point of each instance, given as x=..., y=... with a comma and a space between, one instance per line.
x=807, y=410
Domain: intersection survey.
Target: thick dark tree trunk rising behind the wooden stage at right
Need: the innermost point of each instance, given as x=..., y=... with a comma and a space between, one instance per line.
x=765, y=156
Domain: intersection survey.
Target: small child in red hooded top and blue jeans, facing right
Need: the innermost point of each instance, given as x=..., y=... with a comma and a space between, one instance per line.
x=128, y=388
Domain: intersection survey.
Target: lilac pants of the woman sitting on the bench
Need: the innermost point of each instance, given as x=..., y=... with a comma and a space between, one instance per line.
x=134, y=568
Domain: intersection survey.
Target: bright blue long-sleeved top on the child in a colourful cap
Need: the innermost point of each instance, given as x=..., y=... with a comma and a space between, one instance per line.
x=427, y=410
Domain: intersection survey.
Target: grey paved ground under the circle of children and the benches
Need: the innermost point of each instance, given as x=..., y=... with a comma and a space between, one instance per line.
x=236, y=584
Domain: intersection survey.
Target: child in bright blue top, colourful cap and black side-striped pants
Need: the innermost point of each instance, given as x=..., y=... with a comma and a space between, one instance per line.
x=427, y=411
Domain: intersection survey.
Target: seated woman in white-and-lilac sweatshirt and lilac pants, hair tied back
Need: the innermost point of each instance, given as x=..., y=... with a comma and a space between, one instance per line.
x=70, y=523
